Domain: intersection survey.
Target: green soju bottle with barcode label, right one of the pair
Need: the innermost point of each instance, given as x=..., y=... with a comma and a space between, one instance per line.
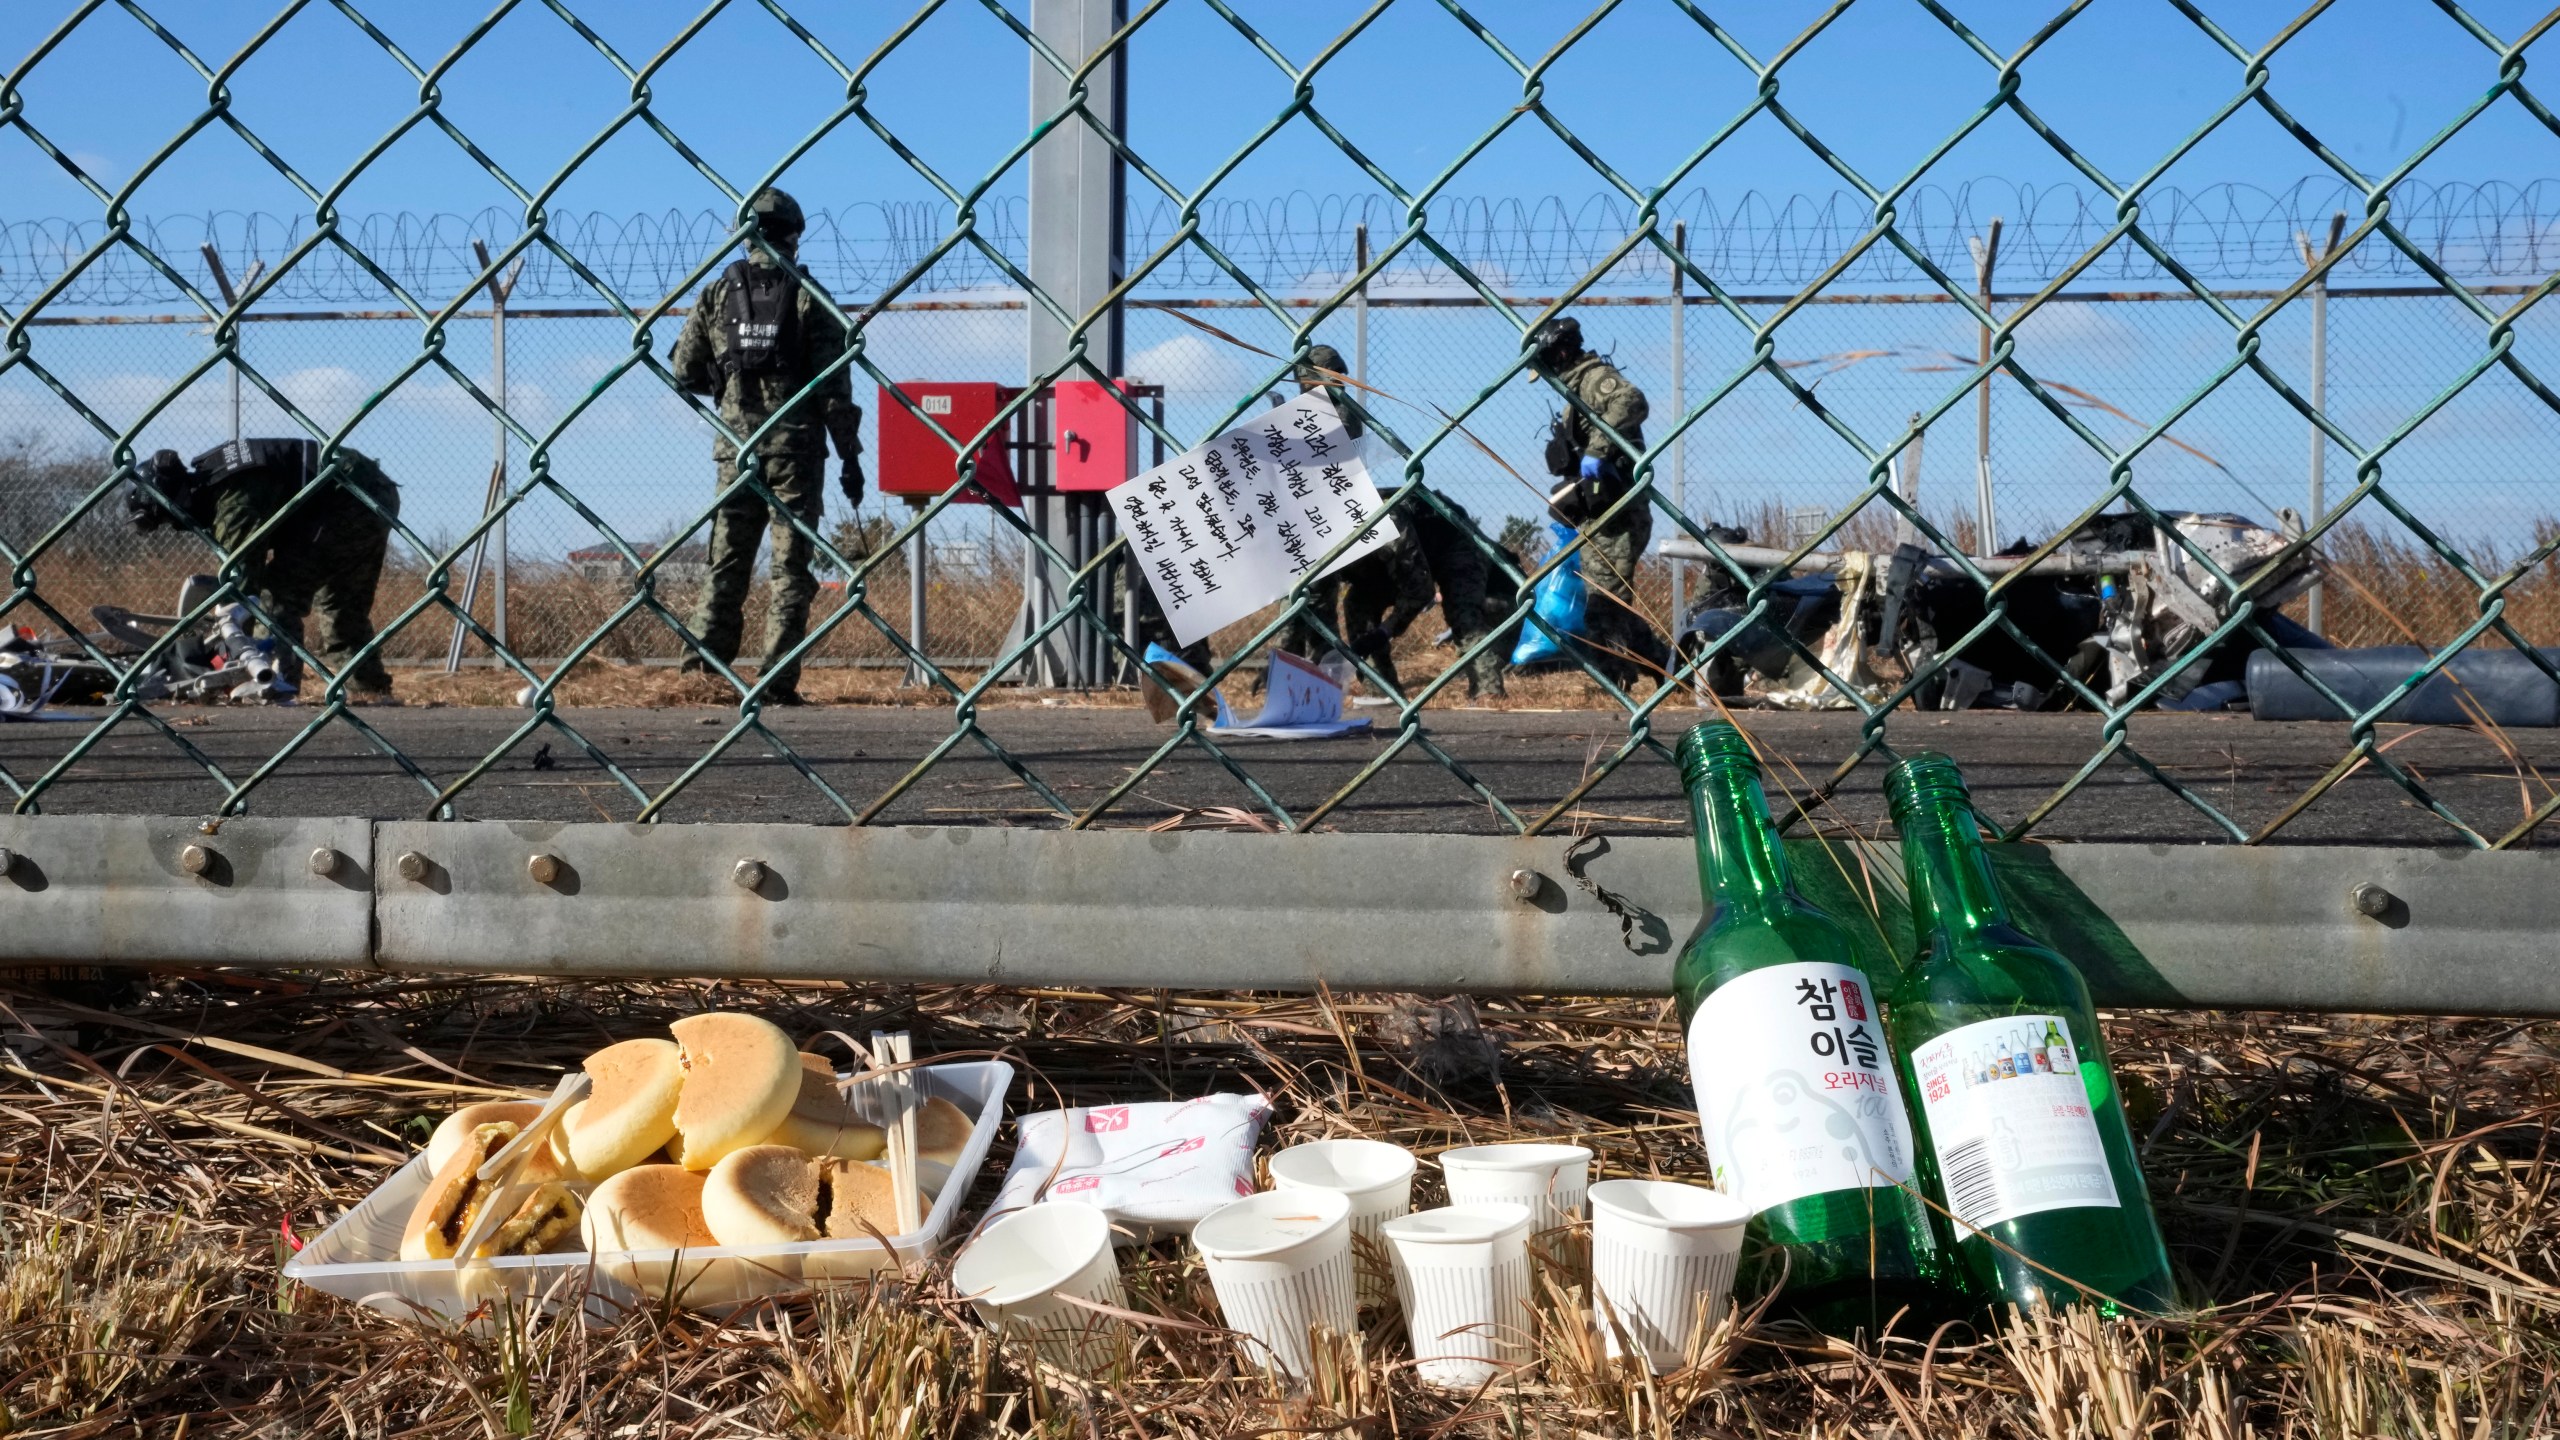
x=2034, y=1162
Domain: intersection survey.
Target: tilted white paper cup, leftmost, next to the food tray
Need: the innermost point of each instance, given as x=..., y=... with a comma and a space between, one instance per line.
x=1023, y=1267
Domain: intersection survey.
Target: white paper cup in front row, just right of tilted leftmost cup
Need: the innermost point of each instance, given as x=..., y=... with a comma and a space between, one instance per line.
x=1281, y=1264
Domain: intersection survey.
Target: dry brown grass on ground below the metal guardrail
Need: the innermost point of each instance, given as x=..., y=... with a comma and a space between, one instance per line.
x=2364, y=1211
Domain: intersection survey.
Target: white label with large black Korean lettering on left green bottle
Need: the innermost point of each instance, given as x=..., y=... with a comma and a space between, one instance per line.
x=1796, y=1088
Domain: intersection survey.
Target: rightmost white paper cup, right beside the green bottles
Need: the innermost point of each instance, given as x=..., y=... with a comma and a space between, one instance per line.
x=1663, y=1264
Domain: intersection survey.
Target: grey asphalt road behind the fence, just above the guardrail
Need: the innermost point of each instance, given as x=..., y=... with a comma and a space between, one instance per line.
x=1532, y=760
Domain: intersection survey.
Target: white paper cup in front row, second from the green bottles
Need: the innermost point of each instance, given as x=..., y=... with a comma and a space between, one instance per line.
x=1466, y=1282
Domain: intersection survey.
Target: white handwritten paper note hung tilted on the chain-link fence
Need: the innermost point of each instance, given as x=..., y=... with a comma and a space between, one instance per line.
x=1230, y=527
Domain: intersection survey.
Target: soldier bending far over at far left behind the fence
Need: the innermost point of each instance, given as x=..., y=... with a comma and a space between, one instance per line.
x=324, y=557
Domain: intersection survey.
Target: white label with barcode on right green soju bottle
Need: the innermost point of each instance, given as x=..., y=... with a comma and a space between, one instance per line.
x=2008, y=1116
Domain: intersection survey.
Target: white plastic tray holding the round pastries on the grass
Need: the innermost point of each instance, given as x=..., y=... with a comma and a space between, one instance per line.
x=360, y=1257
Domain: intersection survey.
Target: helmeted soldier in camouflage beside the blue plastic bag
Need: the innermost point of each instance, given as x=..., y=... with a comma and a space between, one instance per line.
x=1594, y=473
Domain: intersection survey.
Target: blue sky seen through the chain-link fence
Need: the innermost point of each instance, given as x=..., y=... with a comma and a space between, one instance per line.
x=2126, y=83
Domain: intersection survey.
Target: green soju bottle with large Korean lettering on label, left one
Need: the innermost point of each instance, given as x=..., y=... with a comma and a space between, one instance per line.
x=1796, y=1080
